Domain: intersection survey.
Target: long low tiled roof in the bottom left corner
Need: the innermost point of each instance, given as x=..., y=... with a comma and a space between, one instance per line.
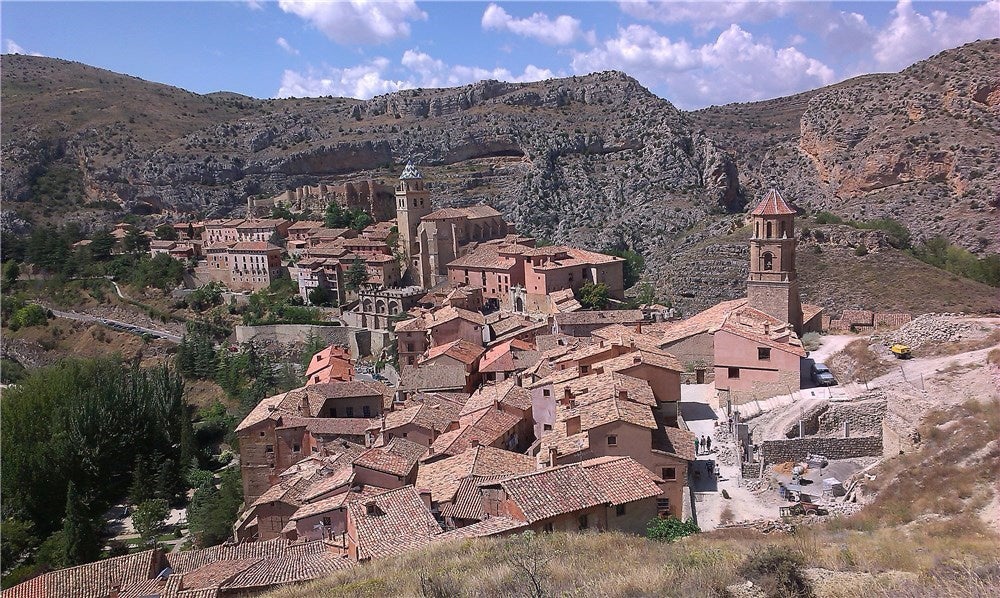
x=93, y=580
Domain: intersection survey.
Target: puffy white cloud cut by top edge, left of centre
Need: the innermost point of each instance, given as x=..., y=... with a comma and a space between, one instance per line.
x=357, y=21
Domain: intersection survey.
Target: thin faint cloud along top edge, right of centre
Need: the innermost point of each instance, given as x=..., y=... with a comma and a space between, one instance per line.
x=705, y=14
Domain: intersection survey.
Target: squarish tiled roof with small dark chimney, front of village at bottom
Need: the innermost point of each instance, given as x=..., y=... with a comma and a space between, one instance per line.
x=391, y=523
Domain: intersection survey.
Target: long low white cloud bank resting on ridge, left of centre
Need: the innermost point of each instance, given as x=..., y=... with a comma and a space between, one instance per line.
x=372, y=78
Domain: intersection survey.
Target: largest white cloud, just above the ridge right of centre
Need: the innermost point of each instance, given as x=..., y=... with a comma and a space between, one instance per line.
x=735, y=67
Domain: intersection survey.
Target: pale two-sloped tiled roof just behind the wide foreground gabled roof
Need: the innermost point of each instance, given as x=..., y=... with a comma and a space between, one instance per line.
x=443, y=477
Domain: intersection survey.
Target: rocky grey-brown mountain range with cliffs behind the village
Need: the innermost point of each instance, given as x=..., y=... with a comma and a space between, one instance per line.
x=595, y=159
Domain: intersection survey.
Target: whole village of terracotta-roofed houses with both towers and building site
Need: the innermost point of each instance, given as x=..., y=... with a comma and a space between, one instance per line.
x=467, y=391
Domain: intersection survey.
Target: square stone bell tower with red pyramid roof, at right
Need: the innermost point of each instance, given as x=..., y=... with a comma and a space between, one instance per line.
x=773, y=287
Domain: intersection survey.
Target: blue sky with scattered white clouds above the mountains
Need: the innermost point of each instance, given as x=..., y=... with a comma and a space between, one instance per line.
x=694, y=54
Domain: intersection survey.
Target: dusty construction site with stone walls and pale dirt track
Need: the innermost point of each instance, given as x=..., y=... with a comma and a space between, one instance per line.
x=812, y=453
